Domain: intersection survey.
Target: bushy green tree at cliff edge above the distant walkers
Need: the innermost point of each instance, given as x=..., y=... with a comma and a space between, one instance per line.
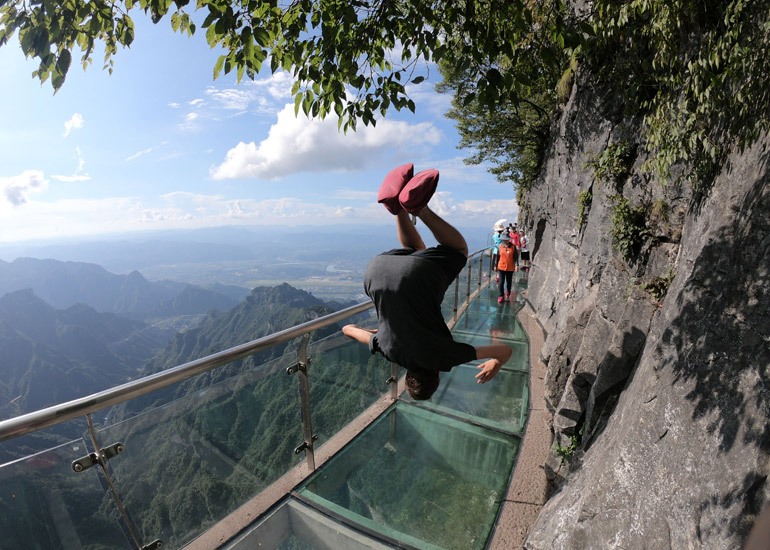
x=512, y=135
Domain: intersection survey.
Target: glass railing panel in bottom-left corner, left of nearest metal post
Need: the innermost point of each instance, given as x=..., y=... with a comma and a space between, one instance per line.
x=45, y=504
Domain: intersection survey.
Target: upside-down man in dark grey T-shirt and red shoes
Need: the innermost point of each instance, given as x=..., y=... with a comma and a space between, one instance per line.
x=407, y=286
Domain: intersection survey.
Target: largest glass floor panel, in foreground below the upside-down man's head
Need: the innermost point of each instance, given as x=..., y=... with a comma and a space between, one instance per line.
x=418, y=477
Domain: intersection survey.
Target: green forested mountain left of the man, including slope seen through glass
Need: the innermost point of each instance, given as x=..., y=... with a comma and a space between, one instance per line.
x=241, y=421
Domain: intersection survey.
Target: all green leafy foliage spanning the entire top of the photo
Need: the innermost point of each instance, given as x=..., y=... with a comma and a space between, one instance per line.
x=694, y=71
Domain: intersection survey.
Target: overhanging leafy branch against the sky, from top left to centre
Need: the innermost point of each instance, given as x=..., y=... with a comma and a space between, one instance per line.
x=353, y=58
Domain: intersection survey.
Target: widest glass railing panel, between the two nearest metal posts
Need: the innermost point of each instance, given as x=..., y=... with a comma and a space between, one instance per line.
x=193, y=460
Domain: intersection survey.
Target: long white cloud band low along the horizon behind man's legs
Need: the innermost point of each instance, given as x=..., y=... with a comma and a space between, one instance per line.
x=187, y=210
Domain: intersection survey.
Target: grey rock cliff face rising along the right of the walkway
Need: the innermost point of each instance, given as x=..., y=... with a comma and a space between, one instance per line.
x=658, y=365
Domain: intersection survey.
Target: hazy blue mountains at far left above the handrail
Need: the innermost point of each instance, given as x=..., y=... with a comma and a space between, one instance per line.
x=51, y=356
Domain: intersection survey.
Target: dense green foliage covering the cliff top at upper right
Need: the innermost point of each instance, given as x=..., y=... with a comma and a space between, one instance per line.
x=695, y=72
